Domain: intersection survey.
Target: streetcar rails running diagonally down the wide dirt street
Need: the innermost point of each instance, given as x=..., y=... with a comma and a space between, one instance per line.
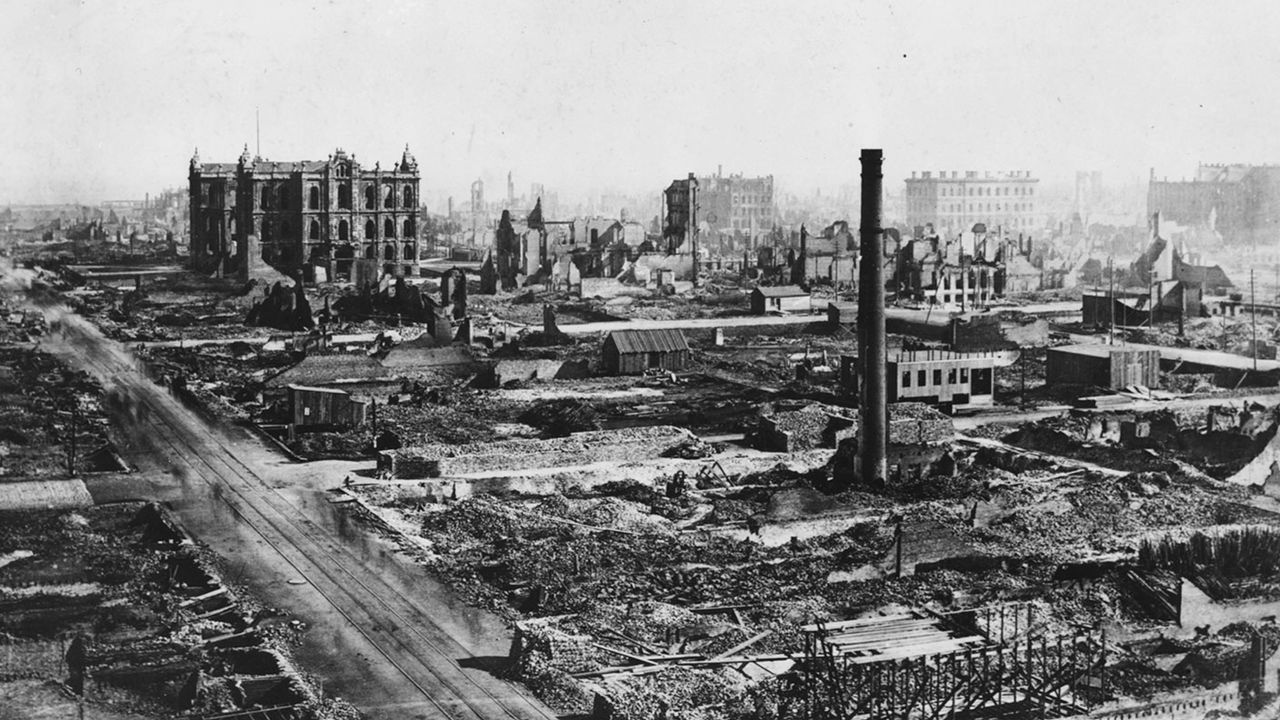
x=391, y=622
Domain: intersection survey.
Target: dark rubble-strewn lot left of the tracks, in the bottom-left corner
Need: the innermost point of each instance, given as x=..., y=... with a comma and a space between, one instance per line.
x=120, y=605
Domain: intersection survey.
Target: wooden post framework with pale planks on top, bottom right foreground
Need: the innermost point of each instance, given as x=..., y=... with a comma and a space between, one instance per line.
x=986, y=663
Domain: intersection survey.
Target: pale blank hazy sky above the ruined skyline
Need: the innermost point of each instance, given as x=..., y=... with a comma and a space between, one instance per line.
x=107, y=101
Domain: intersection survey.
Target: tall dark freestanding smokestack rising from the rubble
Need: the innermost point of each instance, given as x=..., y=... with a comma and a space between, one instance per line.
x=872, y=352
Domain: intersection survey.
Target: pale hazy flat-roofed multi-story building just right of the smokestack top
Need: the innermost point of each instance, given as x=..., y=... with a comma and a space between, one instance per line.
x=952, y=202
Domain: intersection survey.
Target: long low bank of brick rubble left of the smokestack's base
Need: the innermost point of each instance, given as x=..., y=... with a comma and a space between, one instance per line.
x=579, y=449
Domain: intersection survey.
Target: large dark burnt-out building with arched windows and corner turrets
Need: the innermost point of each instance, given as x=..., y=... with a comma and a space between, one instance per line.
x=312, y=217
